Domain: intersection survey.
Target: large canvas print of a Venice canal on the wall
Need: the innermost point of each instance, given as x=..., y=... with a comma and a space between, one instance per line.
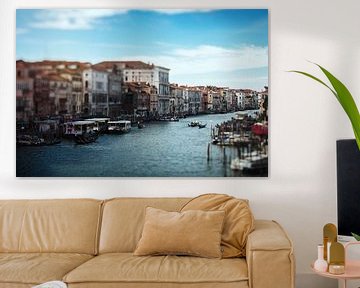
x=142, y=93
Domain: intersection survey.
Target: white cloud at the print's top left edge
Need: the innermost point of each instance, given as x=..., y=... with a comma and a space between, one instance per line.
x=71, y=19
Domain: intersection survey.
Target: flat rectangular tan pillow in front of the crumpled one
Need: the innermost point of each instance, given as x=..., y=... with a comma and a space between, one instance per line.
x=193, y=232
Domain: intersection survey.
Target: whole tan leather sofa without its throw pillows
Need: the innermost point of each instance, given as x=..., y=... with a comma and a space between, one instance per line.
x=90, y=243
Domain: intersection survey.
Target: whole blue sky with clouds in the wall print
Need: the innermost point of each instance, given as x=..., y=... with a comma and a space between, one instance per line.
x=201, y=47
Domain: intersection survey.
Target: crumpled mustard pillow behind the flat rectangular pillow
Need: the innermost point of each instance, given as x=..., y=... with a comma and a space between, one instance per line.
x=239, y=220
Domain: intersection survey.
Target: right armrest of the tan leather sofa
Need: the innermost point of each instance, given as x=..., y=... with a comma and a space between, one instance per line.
x=269, y=256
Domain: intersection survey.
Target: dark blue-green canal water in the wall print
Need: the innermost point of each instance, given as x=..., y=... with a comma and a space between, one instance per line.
x=160, y=149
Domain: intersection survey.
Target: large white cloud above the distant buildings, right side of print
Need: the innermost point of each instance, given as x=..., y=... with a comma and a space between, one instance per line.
x=213, y=65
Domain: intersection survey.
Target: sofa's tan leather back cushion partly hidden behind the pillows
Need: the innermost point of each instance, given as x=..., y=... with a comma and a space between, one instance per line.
x=123, y=220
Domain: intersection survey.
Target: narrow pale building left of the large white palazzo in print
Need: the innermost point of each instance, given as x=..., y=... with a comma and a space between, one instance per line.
x=95, y=89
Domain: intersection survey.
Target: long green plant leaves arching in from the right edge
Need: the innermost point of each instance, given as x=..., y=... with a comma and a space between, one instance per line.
x=344, y=97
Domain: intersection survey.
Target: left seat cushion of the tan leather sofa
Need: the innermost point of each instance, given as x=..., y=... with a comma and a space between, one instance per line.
x=36, y=268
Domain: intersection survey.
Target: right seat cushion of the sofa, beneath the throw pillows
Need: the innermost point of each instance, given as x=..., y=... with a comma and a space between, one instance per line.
x=126, y=268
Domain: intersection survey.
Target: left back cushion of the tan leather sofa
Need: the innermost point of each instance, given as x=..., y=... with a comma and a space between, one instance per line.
x=64, y=226
